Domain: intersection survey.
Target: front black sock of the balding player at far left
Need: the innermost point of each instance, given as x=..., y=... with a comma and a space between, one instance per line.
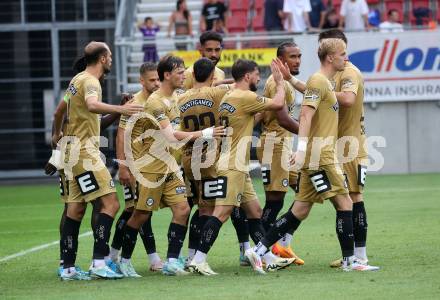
x=102, y=236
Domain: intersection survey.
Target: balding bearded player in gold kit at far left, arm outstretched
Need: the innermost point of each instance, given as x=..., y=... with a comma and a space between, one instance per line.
x=88, y=178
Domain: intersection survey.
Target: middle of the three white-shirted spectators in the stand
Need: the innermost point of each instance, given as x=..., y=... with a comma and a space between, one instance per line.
x=354, y=15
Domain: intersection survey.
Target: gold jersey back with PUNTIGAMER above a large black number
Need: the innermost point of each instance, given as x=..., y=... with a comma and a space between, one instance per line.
x=199, y=109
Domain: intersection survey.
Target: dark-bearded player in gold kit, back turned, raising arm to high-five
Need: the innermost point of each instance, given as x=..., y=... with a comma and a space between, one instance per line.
x=234, y=186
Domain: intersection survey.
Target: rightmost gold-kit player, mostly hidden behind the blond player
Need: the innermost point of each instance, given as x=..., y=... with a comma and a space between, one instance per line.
x=349, y=87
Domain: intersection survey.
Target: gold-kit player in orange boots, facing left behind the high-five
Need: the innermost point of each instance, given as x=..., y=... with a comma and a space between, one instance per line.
x=274, y=153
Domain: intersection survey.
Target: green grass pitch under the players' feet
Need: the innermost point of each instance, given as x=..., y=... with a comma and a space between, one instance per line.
x=403, y=239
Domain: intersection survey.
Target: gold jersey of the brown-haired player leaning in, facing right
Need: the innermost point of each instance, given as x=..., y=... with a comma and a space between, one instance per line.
x=154, y=148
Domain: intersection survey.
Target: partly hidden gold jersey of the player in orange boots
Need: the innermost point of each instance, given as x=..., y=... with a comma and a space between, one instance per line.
x=269, y=122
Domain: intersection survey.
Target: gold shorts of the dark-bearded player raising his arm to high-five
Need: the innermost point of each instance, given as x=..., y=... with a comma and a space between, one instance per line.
x=234, y=188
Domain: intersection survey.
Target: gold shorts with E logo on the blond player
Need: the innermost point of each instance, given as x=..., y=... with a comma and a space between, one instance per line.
x=319, y=185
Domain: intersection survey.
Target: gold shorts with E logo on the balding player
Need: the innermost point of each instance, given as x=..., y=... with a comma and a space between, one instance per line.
x=88, y=185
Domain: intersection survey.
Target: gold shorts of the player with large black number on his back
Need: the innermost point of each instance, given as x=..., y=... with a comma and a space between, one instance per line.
x=203, y=191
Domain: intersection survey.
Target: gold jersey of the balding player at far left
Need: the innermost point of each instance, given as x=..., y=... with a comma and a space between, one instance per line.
x=82, y=123
